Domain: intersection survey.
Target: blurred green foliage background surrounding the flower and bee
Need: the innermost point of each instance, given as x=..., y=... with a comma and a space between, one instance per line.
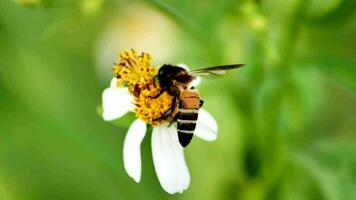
x=287, y=120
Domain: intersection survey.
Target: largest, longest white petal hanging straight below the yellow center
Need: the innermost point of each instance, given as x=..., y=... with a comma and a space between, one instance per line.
x=168, y=159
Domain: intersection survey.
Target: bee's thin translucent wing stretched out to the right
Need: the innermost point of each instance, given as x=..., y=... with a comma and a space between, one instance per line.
x=214, y=71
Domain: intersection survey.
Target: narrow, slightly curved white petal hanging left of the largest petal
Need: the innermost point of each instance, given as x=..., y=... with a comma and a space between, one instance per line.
x=132, y=153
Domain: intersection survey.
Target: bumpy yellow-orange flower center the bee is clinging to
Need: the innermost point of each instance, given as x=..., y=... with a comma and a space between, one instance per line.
x=135, y=72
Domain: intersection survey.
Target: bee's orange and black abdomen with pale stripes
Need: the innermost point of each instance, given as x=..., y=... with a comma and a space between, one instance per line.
x=188, y=115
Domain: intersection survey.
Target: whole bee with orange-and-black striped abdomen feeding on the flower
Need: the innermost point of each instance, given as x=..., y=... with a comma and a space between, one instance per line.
x=176, y=82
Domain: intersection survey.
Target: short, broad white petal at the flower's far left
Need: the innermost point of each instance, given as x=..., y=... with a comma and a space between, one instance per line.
x=116, y=103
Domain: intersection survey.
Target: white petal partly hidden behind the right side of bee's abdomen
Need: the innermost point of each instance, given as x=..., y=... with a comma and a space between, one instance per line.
x=206, y=128
